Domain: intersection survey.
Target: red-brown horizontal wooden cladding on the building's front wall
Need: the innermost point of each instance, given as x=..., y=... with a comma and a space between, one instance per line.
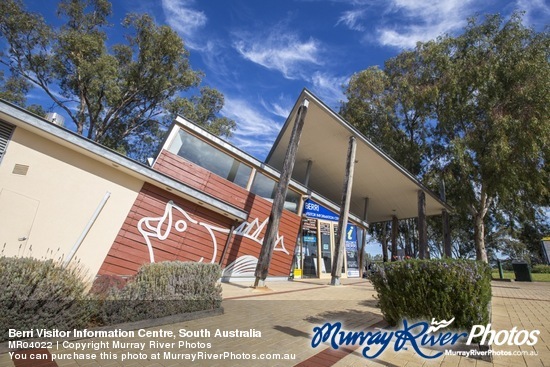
x=194, y=232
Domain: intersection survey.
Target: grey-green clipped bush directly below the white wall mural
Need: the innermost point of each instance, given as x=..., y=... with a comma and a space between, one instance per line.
x=163, y=289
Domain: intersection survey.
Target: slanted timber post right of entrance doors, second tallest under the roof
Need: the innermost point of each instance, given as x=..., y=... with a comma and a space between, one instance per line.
x=340, y=245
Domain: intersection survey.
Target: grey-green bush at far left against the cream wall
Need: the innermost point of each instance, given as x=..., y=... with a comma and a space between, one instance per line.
x=40, y=294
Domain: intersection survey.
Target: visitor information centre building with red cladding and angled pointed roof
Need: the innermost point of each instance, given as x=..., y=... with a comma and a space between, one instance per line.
x=65, y=197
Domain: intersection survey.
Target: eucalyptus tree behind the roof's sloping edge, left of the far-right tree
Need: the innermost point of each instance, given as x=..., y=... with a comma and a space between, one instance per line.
x=388, y=107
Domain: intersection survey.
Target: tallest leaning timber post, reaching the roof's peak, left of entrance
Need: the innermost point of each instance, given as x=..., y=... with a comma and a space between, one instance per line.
x=266, y=252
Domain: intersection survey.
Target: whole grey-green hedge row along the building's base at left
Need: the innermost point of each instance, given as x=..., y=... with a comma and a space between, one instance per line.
x=41, y=294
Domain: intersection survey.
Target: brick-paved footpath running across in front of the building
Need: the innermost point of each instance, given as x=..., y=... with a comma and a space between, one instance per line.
x=285, y=316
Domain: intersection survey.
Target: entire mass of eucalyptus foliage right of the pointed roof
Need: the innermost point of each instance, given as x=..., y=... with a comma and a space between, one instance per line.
x=471, y=111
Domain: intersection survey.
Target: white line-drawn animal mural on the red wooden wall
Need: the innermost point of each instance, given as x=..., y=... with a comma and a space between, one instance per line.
x=161, y=227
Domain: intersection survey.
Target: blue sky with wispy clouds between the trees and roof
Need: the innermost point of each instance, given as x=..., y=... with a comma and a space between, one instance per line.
x=260, y=54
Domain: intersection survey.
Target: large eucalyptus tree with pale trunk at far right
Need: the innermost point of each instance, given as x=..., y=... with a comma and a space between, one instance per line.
x=493, y=111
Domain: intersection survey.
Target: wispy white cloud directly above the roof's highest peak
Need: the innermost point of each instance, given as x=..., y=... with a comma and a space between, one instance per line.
x=280, y=51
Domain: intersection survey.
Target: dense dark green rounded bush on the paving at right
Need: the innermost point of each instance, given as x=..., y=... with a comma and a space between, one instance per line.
x=440, y=289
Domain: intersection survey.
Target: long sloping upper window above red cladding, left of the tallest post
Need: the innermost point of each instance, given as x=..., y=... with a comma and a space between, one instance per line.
x=205, y=155
